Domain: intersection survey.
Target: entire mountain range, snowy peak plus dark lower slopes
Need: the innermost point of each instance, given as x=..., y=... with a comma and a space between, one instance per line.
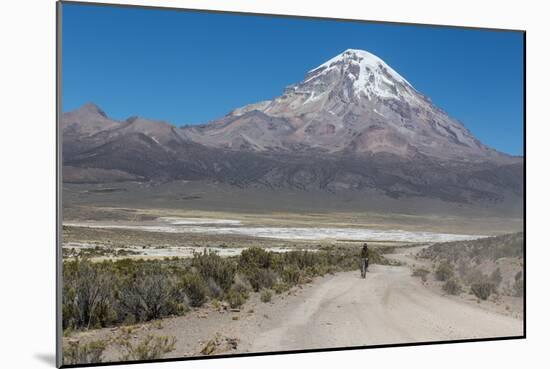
x=352, y=124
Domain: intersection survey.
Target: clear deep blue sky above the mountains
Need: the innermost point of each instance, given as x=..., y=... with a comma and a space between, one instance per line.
x=192, y=67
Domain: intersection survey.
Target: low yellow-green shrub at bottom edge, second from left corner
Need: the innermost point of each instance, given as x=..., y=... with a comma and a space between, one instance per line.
x=149, y=348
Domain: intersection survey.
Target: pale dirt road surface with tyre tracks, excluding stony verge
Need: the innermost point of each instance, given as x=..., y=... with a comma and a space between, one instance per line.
x=389, y=306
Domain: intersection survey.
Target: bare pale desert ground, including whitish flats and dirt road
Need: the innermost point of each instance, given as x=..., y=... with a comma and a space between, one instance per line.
x=335, y=310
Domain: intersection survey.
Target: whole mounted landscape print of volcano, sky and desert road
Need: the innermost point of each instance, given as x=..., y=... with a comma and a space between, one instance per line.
x=237, y=184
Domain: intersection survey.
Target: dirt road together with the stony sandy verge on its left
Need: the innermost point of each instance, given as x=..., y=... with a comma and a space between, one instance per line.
x=389, y=306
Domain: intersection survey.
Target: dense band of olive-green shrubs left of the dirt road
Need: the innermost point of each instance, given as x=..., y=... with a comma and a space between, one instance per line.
x=126, y=291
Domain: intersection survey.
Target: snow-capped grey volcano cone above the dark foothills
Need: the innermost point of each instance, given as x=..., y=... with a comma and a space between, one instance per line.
x=352, y=103
